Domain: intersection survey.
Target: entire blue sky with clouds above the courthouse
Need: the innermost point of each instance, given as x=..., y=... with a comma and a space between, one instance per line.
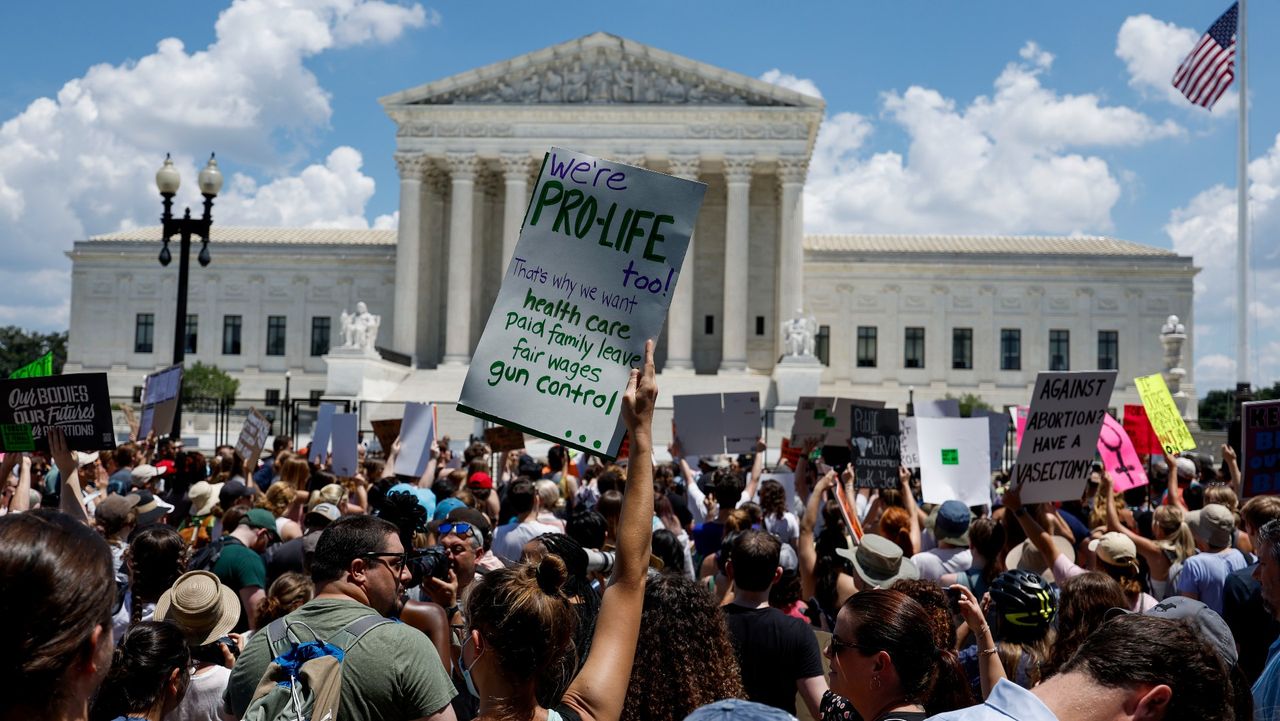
x=1062, y=118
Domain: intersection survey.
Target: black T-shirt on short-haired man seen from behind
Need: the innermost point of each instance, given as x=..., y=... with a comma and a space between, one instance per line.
x=775, y=651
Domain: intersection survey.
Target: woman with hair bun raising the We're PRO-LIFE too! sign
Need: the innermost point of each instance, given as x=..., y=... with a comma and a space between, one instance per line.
x=519, y=622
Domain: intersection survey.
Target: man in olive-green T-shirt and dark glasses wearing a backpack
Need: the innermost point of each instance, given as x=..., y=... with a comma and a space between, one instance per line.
x=395, y=672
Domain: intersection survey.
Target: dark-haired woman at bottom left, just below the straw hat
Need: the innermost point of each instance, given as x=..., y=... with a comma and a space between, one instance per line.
x=149, y=677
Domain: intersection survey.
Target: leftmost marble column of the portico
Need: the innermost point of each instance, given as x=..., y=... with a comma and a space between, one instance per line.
x=409, y=249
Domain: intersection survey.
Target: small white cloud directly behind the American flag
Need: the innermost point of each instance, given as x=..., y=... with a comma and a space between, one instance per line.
x=1153, y=51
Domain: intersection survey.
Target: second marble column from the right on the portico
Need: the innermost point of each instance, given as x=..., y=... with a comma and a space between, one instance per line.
x=738, y=179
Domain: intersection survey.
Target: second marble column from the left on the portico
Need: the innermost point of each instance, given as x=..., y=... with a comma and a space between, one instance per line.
x=458, y=334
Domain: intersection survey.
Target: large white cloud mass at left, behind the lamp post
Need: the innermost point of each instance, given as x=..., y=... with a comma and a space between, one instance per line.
x=84, y=162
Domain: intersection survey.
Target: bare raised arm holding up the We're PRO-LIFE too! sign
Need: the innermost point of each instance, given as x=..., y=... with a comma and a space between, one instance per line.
x=595, y=693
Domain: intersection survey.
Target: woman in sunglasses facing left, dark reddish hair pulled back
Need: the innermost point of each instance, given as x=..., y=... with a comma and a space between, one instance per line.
x=886, y=664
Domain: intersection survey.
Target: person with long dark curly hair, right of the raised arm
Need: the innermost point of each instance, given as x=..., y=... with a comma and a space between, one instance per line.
x=685, y=658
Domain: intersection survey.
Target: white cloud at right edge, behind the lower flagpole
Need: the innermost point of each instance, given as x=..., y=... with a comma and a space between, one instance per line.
x=1205, y=230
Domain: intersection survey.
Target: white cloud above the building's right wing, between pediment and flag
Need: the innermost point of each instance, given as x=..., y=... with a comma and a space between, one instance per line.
x=1004, y=163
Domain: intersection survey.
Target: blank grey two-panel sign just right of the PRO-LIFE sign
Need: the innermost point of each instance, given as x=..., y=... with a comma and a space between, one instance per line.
x=710, y=425
